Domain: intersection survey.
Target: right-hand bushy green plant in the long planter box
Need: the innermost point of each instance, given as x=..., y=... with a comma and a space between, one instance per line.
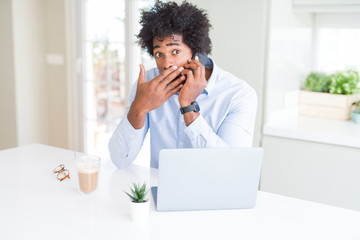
x=344, y=82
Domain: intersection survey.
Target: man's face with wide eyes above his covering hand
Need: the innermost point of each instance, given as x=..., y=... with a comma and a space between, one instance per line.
x=170, y=51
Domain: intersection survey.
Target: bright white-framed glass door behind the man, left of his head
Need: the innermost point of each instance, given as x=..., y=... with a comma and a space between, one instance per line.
x=109, y=54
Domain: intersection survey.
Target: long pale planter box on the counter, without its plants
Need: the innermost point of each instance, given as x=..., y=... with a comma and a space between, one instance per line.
x=326, y=105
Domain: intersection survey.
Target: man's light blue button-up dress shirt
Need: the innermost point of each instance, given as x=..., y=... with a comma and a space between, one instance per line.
x=227, y=117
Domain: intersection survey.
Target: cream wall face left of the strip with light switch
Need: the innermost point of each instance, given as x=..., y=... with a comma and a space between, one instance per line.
x=31, y=103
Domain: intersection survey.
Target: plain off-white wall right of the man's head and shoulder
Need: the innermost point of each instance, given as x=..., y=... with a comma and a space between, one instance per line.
x=239, y=37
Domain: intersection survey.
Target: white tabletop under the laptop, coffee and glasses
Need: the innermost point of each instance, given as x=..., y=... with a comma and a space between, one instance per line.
x=35, y=205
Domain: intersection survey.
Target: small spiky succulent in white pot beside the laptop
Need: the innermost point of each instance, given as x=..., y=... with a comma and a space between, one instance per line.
x=139, y=204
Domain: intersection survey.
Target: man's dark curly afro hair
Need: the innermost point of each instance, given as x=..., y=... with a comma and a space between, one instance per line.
x=166, y=19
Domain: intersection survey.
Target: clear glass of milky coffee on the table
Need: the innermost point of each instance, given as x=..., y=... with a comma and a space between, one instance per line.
x=88, y=170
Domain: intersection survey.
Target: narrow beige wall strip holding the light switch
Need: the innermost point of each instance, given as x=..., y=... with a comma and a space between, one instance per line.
x=55, y=72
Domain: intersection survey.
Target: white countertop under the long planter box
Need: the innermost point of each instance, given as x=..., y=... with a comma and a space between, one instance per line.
x=322, y=130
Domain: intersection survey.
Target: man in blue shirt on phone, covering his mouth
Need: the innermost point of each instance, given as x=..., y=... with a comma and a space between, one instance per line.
x=167, y=99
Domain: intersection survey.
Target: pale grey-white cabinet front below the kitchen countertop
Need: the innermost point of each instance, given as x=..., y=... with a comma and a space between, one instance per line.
x=312, y=171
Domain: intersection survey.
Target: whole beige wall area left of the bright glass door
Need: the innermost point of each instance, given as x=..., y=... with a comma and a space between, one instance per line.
x=33, y=93
